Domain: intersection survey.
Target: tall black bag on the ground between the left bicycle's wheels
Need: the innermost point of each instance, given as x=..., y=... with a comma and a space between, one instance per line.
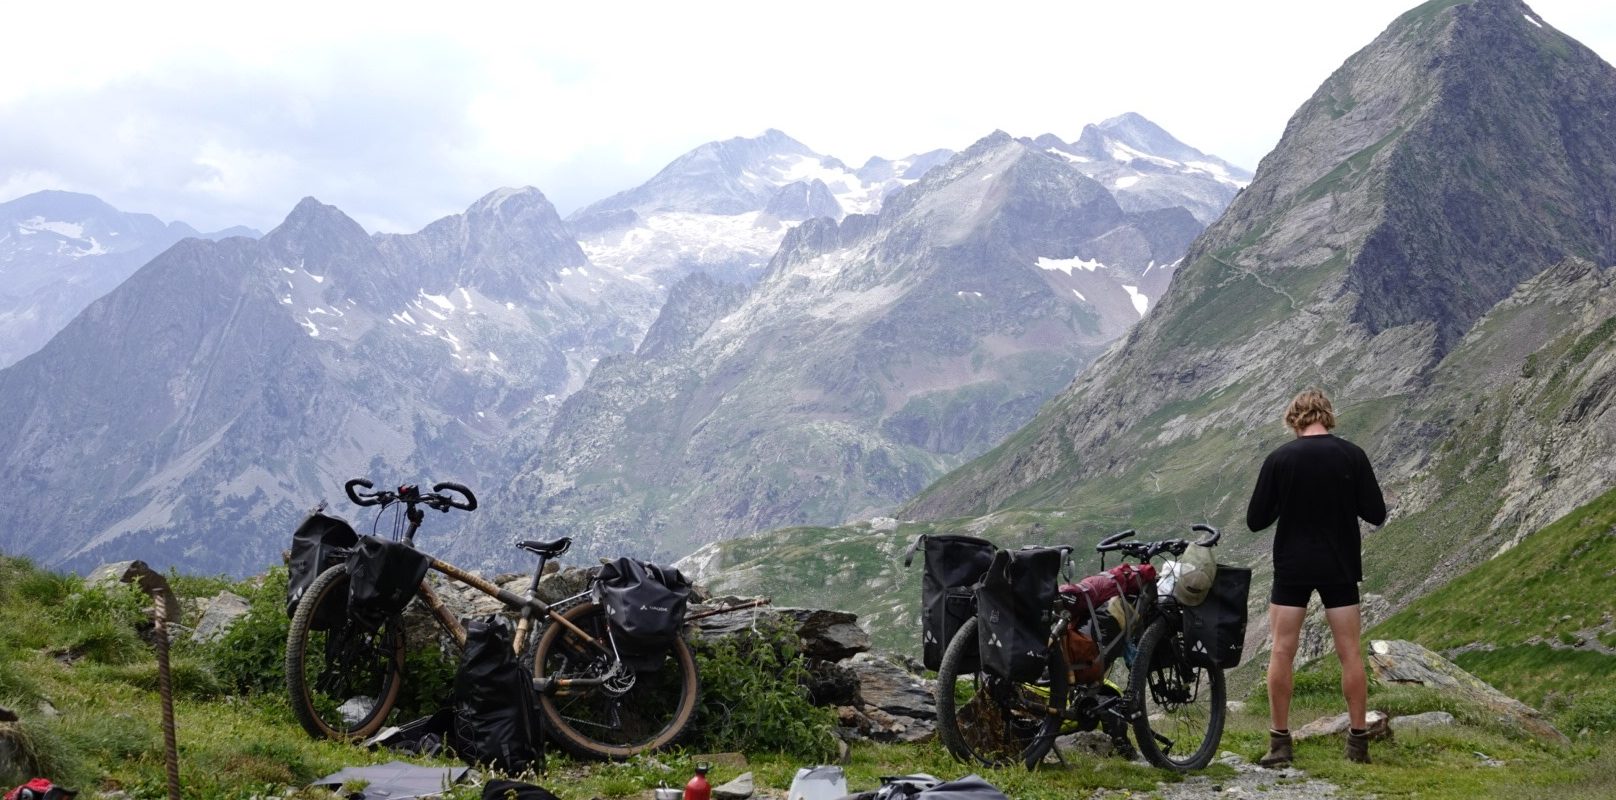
x=497, y=720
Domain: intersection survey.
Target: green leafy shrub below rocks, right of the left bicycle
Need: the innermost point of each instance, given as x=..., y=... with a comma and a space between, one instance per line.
x=755, y=697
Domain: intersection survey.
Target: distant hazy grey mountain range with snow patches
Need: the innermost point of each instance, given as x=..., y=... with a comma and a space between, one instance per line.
x=227, y=387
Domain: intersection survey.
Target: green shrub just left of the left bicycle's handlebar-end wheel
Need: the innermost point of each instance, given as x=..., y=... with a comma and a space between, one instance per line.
x=251, y=655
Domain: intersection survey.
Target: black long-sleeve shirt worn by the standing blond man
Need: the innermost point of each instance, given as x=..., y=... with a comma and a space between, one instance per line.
x=1318, y=489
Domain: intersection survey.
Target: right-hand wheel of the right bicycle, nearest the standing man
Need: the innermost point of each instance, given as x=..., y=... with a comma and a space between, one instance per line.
x=1182, y=704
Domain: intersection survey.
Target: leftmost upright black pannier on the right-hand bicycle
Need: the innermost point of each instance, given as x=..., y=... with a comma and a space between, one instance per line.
x=948, y=589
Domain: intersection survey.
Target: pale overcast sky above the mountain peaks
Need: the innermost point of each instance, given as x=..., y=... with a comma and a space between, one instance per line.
x=406, y=112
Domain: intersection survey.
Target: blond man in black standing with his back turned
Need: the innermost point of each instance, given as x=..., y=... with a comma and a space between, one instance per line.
x=1318, y=487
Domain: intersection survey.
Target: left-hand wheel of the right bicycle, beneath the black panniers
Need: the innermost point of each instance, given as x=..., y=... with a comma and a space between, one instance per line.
x=993, y=722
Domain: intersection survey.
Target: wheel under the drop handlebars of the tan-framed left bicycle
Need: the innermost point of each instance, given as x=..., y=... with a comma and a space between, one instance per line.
x=342, y=680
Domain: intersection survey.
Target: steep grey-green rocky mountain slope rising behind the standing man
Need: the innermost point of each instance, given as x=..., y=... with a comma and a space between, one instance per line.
x=1431, y=243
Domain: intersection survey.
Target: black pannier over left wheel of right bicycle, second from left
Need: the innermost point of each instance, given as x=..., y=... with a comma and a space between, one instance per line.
x=1012, y=605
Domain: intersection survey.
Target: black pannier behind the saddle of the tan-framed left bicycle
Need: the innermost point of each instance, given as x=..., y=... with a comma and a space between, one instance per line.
x=646, y=605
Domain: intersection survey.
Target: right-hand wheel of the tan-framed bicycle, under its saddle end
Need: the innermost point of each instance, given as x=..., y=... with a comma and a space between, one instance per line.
x=608, y=715
